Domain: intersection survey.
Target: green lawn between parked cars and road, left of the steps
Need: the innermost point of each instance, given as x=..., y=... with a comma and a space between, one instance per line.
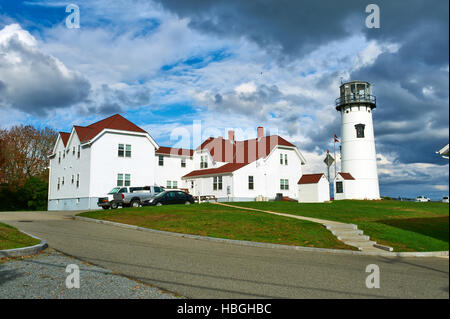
x=223, y=222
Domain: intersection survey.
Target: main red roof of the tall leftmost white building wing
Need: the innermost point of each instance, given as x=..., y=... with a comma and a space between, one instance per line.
x=115, y=122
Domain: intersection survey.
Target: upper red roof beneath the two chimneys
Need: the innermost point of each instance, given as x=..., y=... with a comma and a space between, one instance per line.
x=248, y=151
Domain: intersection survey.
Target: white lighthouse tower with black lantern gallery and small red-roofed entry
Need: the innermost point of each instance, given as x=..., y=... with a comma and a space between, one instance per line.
x=358, y=155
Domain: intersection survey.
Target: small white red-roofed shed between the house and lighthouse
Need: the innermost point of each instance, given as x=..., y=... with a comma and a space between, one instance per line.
x=313, y=188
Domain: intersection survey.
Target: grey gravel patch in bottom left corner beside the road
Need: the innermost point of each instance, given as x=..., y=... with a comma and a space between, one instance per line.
x=43, y=276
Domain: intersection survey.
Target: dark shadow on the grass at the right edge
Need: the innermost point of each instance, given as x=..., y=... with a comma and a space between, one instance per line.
x=436, y=227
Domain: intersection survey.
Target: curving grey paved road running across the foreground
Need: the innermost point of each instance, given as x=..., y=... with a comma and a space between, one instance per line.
x=203, y=269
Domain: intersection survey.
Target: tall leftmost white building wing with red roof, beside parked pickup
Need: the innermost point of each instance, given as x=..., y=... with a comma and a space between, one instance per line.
x=90, y=160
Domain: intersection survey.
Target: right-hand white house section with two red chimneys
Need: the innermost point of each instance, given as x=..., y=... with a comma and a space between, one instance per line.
x=243, y=170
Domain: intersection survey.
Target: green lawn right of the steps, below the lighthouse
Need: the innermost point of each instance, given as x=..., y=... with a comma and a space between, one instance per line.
x=405, y=226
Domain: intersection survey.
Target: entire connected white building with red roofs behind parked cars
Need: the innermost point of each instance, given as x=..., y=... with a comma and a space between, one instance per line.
x=90, y=160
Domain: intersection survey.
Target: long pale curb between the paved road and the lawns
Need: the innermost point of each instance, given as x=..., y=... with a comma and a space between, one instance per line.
x=267, y=245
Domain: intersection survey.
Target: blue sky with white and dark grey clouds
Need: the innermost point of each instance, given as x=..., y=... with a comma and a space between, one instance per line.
x=231, y=64
